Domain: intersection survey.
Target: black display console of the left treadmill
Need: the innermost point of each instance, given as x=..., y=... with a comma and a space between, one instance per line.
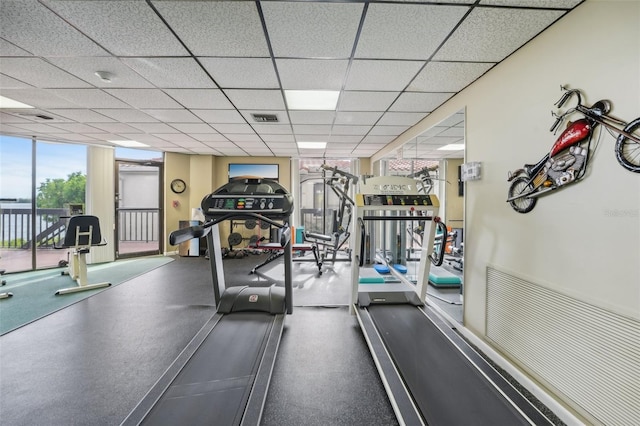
x=260, y=196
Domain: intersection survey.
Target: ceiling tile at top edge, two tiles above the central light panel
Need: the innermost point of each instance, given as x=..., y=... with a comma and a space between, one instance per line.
x=312, y=29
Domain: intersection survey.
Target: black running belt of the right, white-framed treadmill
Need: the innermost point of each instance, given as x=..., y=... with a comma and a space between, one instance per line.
x=447, y=389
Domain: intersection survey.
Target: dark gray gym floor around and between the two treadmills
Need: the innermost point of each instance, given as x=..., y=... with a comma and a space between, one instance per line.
x=91, y=363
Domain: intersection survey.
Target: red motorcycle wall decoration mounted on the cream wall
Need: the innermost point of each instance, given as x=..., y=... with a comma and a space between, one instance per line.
x=568, y=158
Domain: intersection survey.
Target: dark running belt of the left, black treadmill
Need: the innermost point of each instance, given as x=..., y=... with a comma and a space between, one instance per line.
x=214, y=385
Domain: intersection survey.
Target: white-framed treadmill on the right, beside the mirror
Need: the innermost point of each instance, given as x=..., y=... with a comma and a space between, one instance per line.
x=431, y=375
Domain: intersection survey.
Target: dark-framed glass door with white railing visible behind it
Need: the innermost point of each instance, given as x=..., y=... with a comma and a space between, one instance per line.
x=138, y=211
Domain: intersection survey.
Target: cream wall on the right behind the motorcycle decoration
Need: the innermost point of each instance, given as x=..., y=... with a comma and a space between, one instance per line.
x=582, y=241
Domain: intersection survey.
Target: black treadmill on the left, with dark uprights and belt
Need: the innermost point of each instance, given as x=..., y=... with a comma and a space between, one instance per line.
x=222, y=376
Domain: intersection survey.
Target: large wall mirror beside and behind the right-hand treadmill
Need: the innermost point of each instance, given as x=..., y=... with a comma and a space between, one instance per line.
x=434, y=158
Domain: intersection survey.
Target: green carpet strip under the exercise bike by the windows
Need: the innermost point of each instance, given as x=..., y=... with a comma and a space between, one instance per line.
x=34, y=292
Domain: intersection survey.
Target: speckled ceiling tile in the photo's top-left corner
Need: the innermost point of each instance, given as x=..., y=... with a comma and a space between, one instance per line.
x=26, y=23
